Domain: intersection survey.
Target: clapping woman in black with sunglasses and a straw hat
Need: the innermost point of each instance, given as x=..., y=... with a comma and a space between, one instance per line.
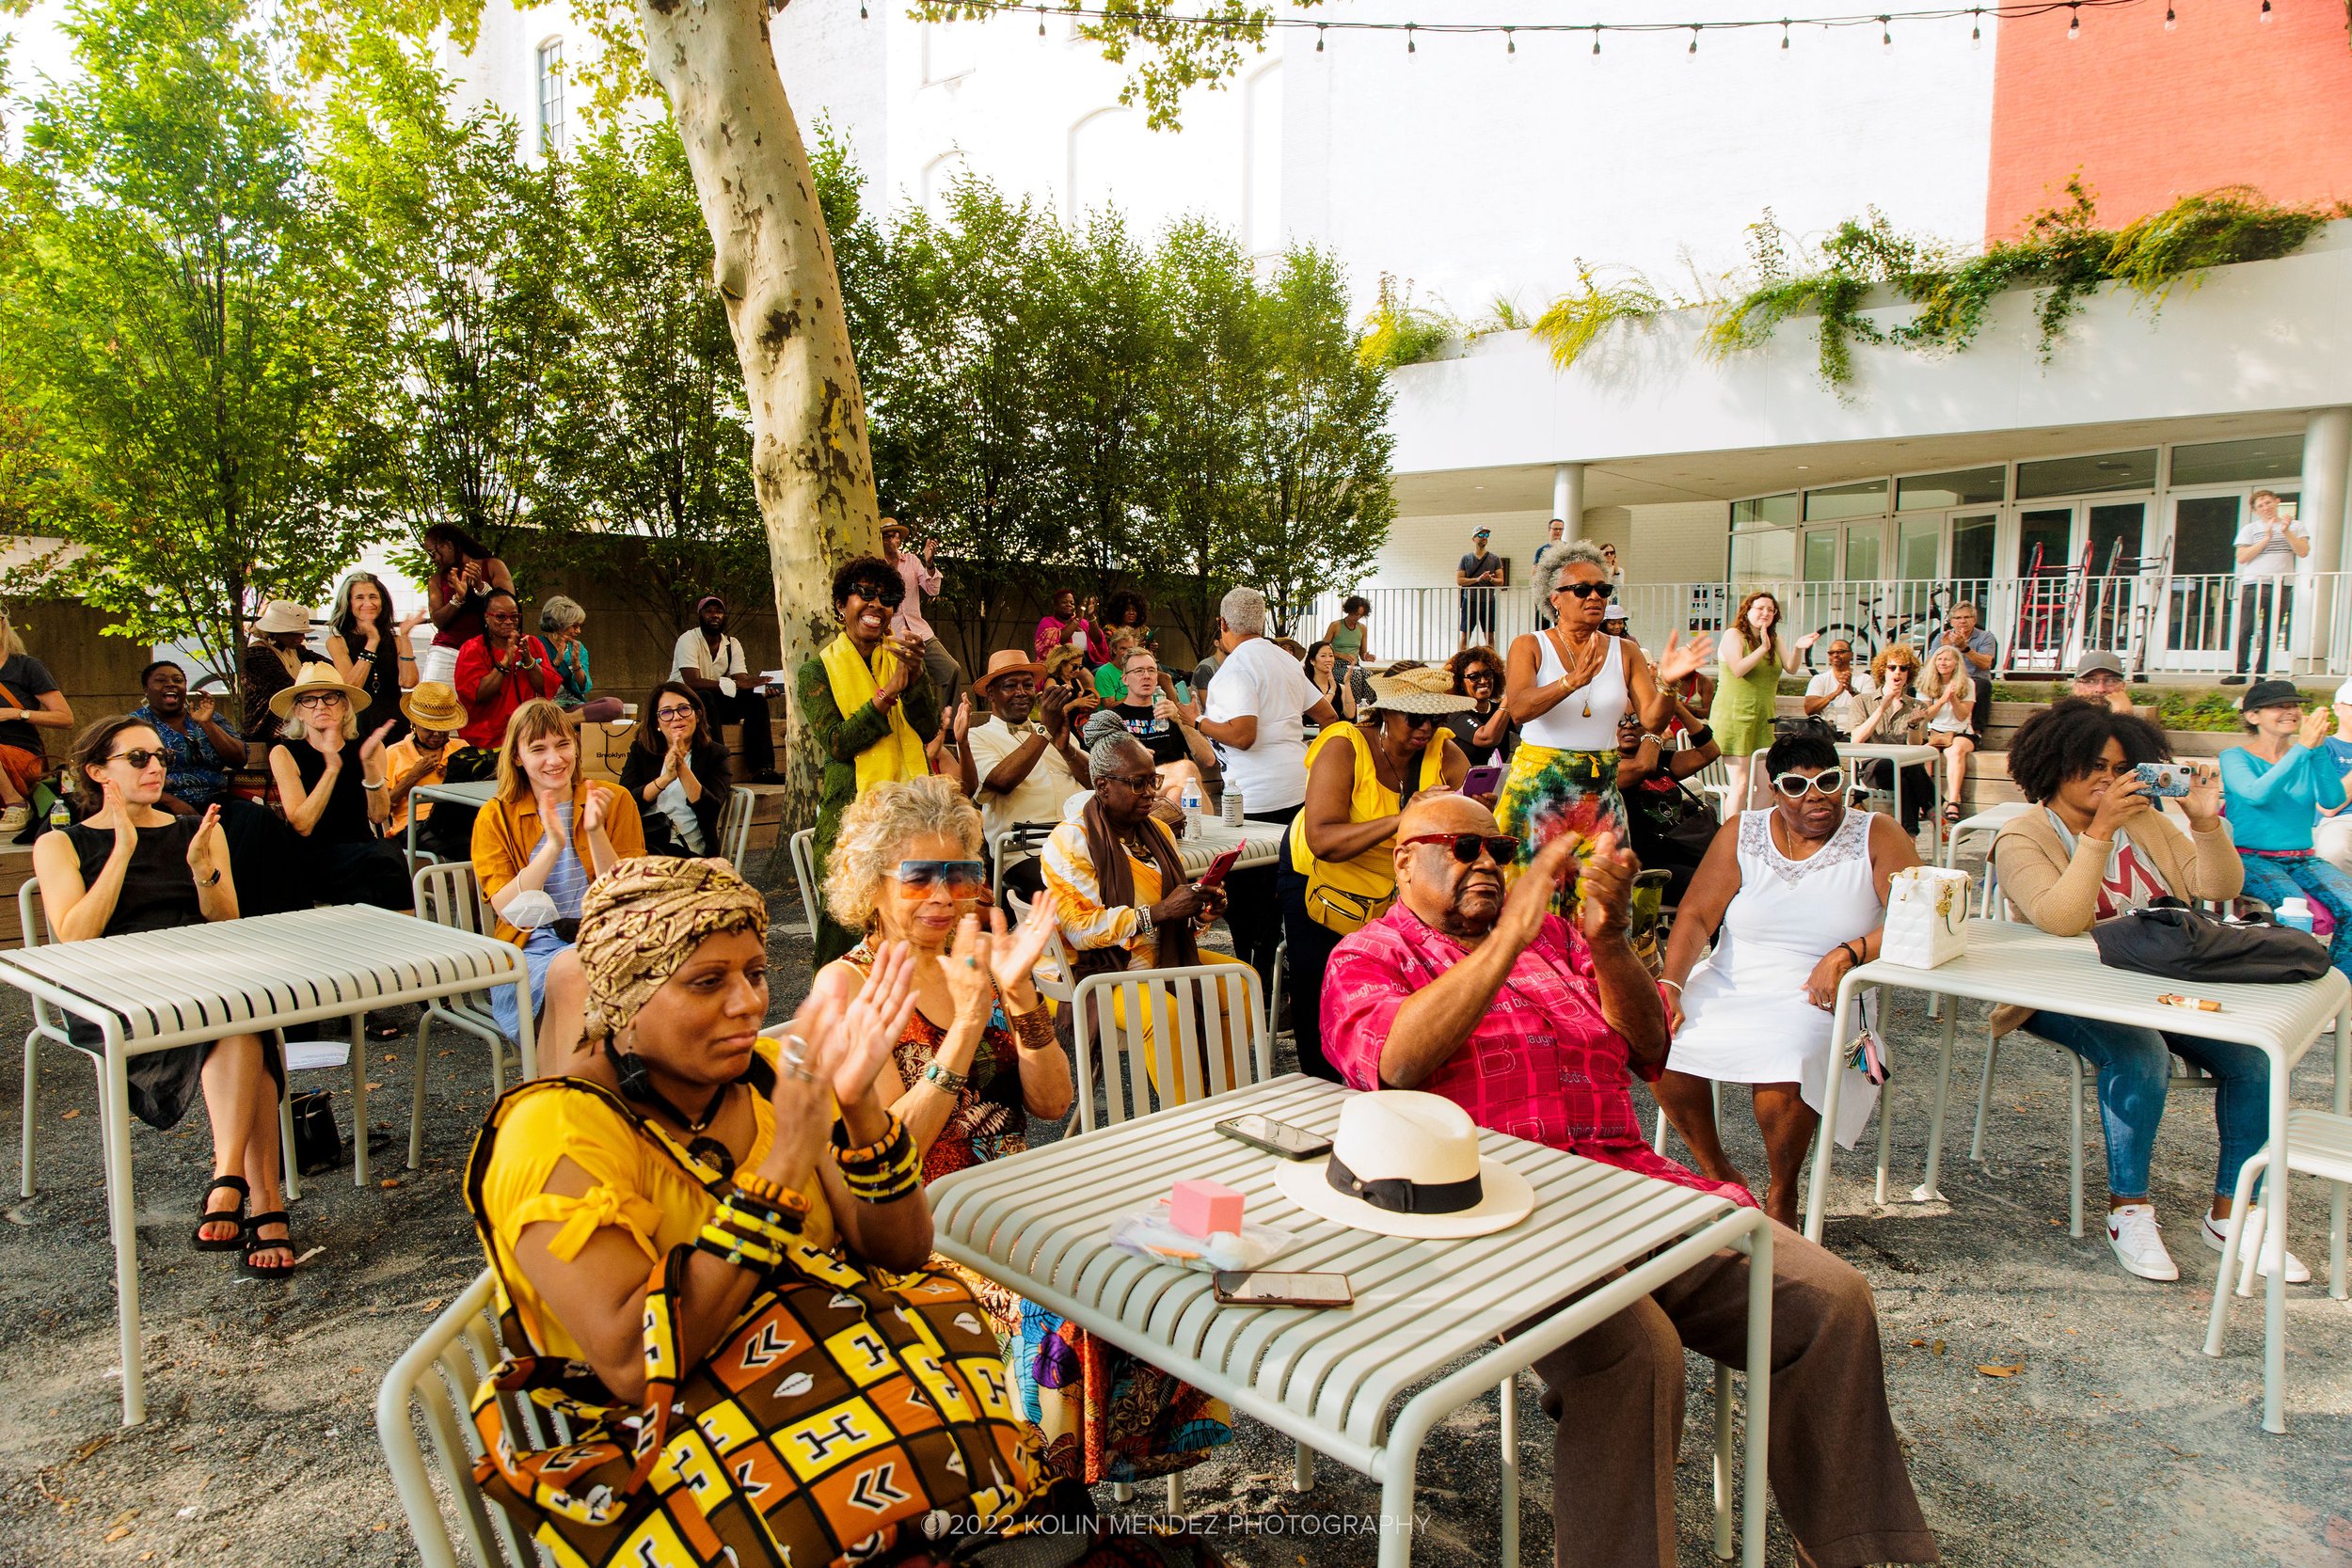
x=335, y=796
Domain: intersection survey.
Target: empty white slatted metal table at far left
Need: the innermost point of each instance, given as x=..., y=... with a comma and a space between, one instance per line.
x=156, y=991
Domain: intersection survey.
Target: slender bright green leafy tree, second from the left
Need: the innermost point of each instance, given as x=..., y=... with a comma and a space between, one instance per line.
x=457, y=255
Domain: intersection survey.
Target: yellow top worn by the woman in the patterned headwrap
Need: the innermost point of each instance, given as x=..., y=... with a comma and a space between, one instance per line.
x=639, y=1188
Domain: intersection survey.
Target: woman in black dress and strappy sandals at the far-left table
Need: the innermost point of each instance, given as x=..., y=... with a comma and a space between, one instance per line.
x=133, y=866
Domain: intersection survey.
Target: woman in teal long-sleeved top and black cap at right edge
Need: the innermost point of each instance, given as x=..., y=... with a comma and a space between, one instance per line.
x=2273, y=791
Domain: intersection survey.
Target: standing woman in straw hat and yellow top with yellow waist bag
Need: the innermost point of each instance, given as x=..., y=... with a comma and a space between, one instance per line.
x=1342, y=850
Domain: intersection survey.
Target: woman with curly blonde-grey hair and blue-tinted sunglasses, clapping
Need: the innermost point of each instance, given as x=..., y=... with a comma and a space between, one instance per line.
x=970, y=1066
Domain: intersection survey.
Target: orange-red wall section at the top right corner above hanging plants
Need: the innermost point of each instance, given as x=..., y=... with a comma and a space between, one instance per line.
x=2149, y=116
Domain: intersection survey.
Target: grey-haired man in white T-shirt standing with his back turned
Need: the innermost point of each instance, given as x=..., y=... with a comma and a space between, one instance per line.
x=1257, y=713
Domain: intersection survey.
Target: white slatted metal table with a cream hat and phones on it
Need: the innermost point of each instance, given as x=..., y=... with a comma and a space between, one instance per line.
x=1361, y=1386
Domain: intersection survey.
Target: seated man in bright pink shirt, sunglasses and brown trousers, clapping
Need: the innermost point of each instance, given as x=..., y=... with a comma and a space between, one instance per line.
x=1535, y=1028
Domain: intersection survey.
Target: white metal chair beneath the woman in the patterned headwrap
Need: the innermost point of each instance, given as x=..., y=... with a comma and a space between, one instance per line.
x=432, y=1386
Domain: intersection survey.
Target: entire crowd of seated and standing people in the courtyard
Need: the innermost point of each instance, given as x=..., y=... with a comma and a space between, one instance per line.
x=1466, y=904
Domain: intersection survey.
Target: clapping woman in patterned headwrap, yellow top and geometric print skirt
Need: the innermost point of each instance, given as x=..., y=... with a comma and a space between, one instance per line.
x=702, y=1202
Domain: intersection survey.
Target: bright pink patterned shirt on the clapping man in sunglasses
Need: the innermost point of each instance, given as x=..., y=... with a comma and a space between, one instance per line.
x=1539, y=1066
